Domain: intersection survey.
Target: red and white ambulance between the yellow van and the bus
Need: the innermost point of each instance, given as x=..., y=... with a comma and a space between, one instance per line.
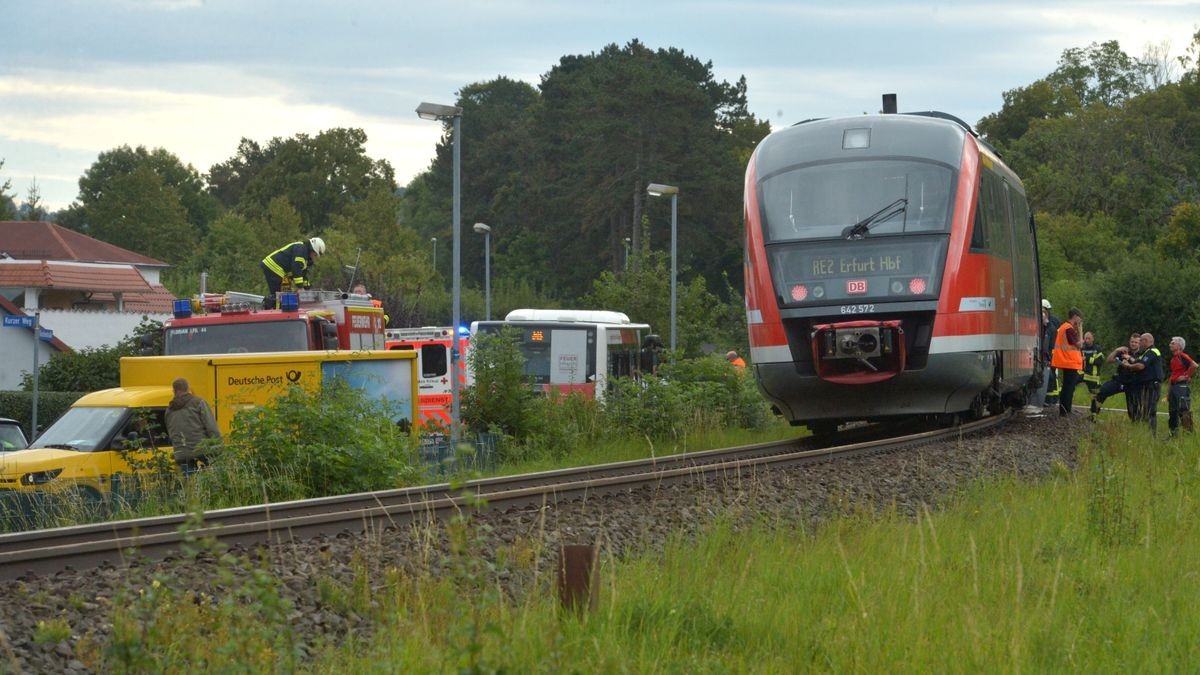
x=433, y=348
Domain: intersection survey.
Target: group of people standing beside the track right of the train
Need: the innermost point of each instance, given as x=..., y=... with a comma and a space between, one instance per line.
x=1076, y=357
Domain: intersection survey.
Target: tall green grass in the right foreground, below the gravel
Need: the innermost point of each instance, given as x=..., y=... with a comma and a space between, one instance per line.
x=1090, y=571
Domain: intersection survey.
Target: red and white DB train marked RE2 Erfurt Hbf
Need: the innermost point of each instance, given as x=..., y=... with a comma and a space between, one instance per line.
x=891, y=271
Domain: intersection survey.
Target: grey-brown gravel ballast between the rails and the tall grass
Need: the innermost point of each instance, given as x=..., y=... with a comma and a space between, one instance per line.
x=622, y=525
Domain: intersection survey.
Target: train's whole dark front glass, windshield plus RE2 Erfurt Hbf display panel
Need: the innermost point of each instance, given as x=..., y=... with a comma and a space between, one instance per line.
x=851, y=234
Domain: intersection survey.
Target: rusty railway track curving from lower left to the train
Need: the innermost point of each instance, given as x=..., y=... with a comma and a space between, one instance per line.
x=49, y=552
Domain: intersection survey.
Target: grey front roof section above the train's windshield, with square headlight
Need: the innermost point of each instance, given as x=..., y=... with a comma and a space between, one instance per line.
x=939, y=138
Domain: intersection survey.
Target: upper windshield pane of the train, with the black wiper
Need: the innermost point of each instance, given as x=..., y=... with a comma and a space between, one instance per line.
x=827, y=200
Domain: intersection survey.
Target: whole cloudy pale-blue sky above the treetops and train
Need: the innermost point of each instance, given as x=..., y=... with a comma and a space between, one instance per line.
x=79, y=79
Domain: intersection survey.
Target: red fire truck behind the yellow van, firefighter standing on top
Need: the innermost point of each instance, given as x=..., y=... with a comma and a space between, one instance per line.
x=218, y=324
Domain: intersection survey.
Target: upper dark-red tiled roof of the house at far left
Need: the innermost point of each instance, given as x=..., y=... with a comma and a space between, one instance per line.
x=40, y=241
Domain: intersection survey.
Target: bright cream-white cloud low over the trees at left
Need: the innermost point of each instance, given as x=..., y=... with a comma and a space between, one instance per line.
x=202, y=126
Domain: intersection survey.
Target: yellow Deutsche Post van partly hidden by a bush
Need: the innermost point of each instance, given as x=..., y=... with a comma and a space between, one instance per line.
x=88, y=449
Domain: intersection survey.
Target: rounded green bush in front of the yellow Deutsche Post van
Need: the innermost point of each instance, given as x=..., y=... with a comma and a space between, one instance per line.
x=333, y=443
